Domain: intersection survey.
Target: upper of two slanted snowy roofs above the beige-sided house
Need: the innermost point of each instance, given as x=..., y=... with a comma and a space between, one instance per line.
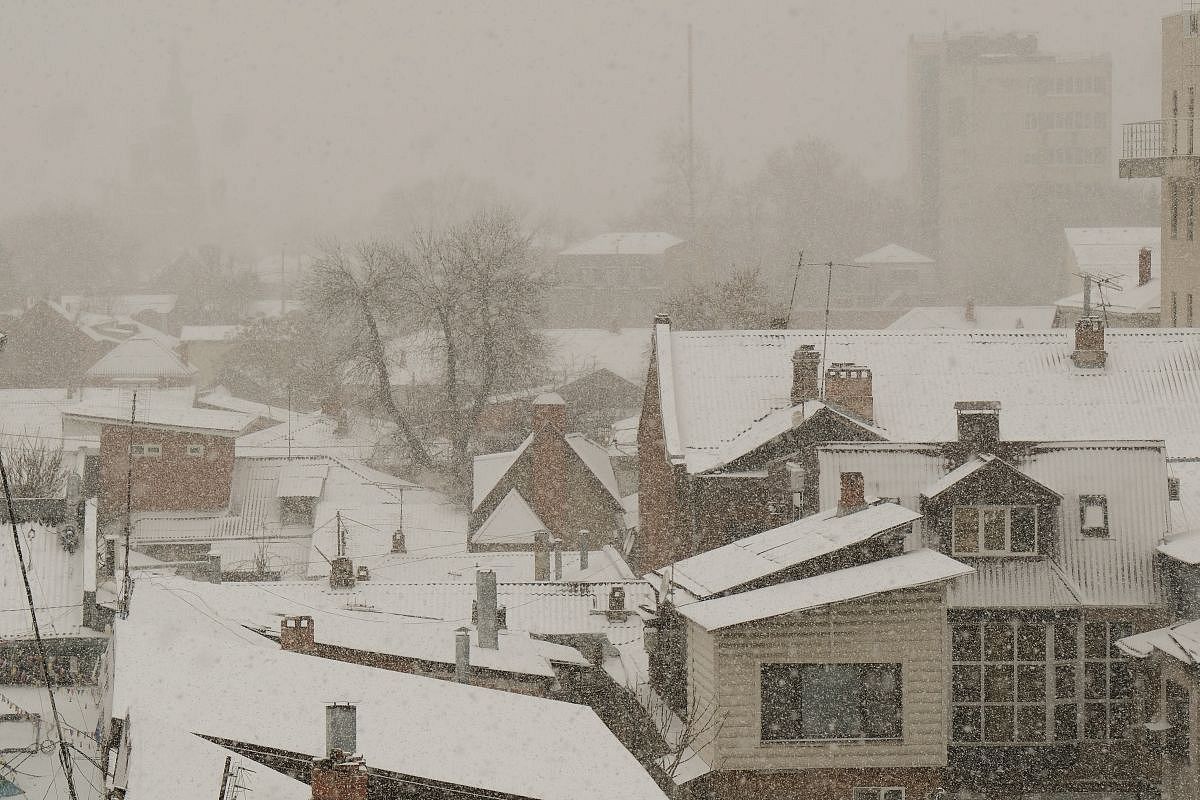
x=773, y=551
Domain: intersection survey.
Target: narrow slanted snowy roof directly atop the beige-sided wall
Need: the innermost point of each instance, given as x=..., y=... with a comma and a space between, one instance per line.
x=911, y=570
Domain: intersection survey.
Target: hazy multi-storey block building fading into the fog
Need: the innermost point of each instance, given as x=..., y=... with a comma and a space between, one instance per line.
x=1009, y=146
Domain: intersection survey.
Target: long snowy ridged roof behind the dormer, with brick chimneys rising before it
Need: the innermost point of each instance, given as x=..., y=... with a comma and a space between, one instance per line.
x=716, y=386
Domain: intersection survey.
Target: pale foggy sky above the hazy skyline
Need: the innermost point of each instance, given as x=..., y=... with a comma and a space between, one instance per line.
x=310, y=112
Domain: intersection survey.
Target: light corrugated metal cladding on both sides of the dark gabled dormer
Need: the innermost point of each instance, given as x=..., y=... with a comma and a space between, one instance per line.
x=1112, y=572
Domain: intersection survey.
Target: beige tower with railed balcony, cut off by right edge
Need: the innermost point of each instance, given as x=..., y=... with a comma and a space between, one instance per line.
x=1168, y=149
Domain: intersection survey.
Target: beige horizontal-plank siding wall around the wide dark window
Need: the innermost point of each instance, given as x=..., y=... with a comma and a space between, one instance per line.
x=907, y=628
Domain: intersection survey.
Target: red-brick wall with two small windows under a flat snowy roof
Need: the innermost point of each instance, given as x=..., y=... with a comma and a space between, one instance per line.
x=172, y=482
